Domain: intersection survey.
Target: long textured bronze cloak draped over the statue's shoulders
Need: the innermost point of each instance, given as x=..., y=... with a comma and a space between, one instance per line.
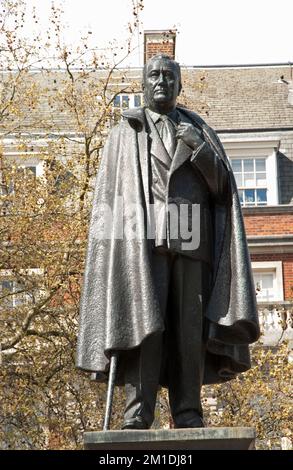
x=119, y=307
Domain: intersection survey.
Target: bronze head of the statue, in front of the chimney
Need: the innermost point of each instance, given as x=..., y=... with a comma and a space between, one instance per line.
x=161, y=83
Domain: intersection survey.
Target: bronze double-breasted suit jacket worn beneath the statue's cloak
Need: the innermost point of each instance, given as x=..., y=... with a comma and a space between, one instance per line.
x=200, y=179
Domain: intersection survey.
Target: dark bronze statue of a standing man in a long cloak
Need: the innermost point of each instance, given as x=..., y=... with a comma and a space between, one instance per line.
x=171, y=291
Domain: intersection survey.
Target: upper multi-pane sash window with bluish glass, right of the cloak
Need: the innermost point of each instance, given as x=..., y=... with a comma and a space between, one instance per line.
x=251, y=180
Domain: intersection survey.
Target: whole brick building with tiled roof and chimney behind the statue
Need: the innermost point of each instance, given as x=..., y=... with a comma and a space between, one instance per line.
x=251, y=108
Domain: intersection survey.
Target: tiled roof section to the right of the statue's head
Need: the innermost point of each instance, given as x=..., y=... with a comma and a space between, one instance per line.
x=252, y=97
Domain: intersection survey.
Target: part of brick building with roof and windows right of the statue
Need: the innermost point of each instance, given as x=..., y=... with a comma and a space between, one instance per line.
x=251, y=109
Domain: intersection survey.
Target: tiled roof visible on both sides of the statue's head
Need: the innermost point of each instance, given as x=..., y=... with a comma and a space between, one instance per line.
x=228, y=98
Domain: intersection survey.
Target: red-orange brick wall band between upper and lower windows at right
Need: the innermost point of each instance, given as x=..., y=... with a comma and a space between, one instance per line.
x=269, y=224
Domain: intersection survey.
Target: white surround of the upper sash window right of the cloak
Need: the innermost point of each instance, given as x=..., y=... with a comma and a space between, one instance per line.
x=259, y=149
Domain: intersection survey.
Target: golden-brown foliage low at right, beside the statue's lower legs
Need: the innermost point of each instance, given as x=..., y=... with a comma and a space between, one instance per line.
x=261, y=398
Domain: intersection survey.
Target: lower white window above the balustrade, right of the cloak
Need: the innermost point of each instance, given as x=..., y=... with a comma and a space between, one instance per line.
x=268, y=280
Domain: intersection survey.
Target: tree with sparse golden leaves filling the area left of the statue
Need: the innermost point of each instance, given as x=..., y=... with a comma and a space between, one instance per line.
x=57, y=119
